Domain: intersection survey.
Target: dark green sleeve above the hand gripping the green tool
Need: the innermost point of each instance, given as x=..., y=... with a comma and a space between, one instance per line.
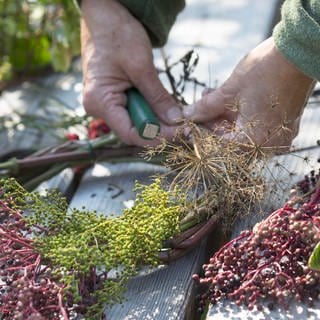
x=157, y=16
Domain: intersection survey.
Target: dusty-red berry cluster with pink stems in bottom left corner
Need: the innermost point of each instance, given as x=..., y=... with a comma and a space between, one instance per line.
x=27, y=288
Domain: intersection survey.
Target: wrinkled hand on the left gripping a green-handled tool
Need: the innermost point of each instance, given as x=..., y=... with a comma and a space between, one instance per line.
x=116, y=55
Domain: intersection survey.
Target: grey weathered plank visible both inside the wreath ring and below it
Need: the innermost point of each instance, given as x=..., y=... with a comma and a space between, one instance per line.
x=162, y=293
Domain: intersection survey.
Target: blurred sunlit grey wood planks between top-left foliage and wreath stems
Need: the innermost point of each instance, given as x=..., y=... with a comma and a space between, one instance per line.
x=48, y=99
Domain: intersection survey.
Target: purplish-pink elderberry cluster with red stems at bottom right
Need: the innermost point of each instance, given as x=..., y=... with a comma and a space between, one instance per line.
x=271, y=261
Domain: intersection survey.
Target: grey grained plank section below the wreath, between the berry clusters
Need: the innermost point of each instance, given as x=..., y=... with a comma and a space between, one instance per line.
x=163, y=294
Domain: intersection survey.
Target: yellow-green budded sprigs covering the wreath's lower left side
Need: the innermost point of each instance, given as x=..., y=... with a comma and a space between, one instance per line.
x=77, y=243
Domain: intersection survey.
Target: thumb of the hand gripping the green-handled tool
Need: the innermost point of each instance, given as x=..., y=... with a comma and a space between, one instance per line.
x=163, y=104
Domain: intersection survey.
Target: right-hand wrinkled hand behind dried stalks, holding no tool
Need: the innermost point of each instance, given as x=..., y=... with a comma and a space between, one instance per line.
x=262, y=101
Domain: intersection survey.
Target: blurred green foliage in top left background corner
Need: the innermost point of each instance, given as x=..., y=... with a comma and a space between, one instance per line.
x=35, y=34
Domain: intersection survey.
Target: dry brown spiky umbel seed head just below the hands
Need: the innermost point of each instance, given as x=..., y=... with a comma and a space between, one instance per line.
x=217, y=175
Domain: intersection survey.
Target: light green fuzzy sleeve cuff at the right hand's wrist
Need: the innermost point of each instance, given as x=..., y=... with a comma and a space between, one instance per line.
x=297, y=35
